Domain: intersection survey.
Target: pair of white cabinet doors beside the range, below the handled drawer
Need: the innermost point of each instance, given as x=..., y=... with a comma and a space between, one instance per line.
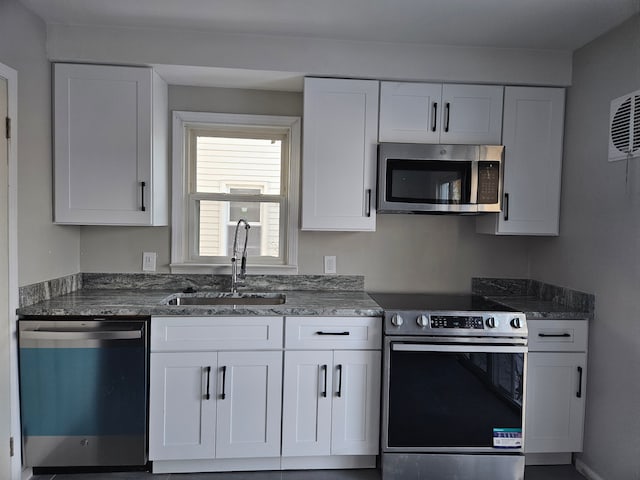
x=331, y=403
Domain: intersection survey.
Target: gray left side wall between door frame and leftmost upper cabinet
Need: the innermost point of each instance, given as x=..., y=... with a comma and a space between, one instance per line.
x=45, y=250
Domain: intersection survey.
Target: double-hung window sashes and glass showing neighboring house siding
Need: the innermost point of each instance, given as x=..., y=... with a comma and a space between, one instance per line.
x=238, y=175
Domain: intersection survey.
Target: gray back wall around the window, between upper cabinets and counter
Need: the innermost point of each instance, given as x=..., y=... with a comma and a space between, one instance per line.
x=411, y=253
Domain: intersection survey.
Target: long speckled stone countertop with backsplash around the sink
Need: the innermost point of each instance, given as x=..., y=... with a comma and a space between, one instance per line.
x=106, y=295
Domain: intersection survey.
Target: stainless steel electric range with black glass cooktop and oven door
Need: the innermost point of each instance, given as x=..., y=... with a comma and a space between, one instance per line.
x=453, y=388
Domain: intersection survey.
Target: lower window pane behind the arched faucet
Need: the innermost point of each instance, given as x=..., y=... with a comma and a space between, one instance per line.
x=218, y=222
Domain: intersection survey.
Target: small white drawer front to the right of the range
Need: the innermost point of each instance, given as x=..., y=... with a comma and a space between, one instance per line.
x=558, y=335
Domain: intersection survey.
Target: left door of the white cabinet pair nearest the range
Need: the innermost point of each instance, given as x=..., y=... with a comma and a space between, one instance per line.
x=306, y=403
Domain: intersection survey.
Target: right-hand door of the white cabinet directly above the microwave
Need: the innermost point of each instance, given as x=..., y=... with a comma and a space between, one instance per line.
x=471, y=114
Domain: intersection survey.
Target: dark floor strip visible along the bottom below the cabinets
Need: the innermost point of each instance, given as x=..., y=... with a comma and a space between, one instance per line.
x=556, y=472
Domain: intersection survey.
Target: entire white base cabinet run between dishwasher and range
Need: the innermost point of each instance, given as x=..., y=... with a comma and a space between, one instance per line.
x=222, y=399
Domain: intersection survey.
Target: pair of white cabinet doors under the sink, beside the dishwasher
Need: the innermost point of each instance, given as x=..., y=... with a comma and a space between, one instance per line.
x=215, y=405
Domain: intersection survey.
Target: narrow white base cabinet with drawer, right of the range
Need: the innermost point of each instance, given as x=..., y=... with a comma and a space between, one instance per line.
x=556, y=390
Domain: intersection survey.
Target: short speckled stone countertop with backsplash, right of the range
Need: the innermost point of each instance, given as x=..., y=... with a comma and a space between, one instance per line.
x=537, y=300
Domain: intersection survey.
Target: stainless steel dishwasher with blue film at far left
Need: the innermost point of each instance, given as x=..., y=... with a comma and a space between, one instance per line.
x=83, y=391
